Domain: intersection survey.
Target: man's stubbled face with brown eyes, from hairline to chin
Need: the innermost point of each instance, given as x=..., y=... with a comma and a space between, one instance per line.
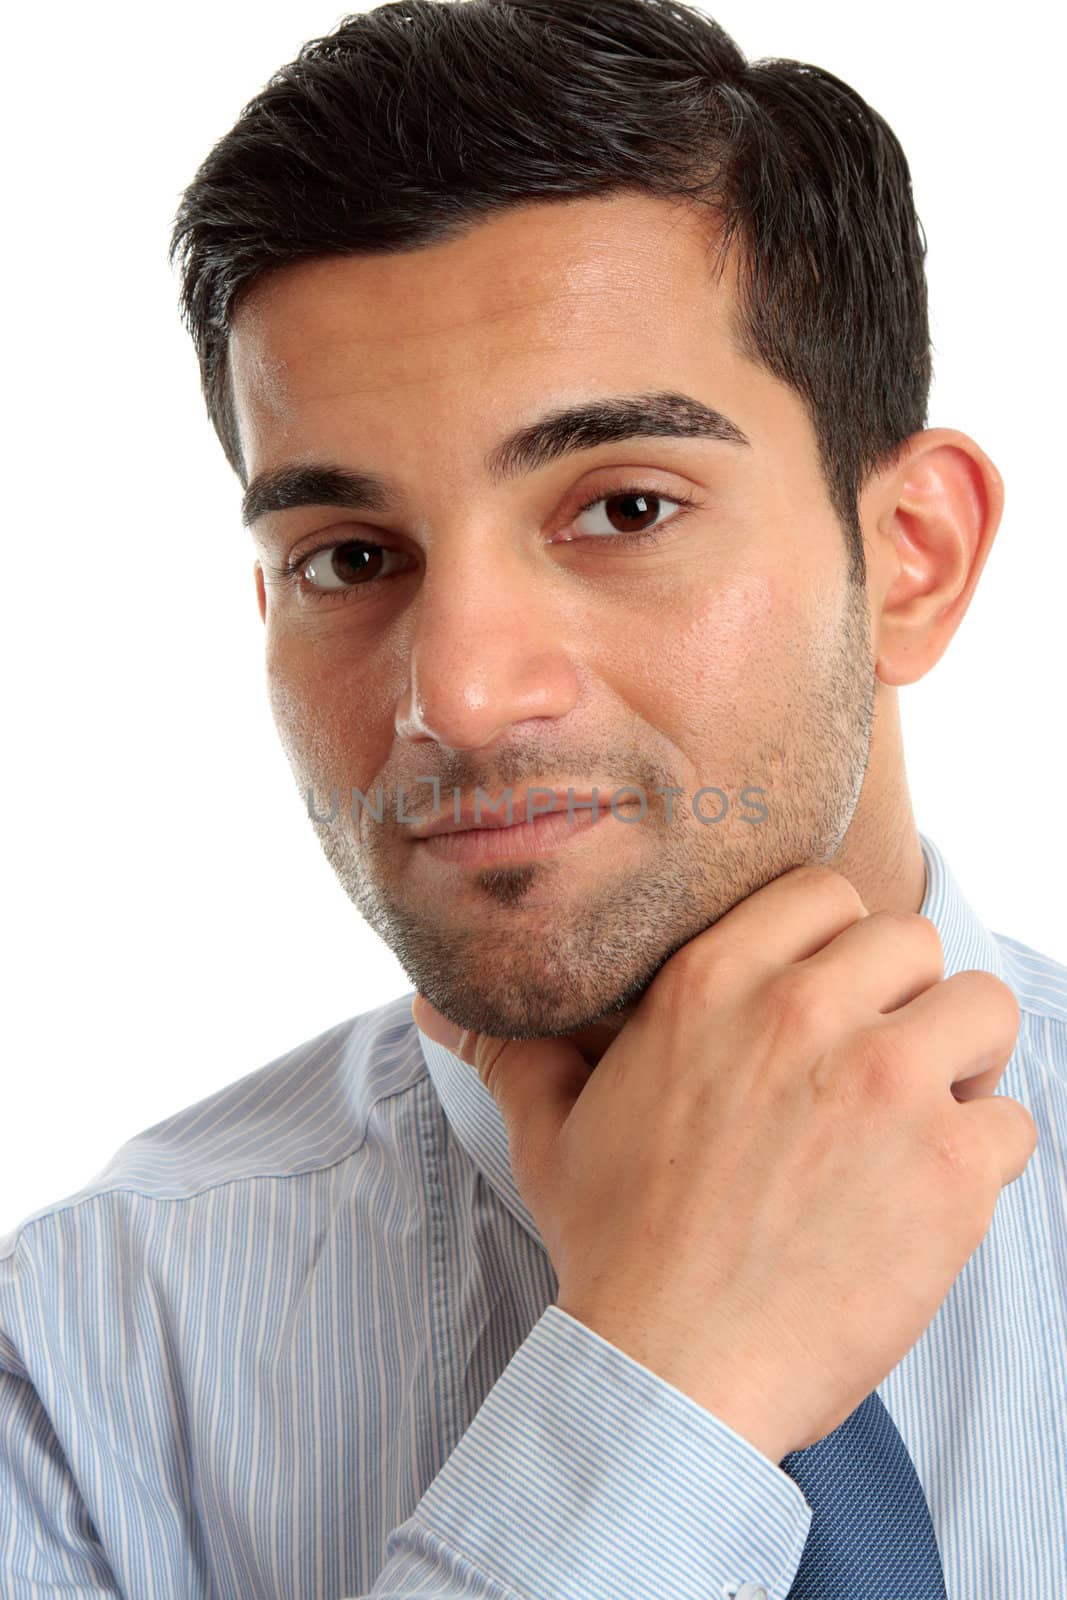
x=489, y=633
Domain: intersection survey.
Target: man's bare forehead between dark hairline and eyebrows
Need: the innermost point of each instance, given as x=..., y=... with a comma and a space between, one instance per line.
x=561, y=281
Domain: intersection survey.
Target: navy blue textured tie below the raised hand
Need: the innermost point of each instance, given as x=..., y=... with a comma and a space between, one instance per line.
x=871, y=1534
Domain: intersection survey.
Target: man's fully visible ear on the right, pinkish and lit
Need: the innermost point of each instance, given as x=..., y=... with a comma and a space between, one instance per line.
x=935, y=519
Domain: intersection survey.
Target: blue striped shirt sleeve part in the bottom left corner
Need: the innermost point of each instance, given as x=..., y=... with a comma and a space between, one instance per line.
x=47, y=1540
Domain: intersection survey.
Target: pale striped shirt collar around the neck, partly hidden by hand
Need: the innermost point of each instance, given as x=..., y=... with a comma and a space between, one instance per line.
x=476, y=1119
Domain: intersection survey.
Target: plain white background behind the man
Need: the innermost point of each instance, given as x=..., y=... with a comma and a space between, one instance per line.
x=172, y=921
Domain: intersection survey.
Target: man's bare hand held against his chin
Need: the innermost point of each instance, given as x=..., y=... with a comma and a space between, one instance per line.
x=775, y=1174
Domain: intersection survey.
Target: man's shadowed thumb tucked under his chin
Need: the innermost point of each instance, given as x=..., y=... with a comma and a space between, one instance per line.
x=533, y=1081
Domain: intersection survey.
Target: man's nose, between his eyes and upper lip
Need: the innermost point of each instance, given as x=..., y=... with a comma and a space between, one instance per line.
x=489, y=649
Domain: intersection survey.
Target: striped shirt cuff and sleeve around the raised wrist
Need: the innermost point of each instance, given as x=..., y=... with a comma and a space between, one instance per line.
x=585, y=1474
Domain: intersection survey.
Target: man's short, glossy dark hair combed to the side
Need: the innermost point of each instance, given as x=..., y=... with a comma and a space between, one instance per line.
x=412, y=122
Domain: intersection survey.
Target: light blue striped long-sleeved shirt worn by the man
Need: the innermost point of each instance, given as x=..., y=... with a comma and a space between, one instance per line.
x=300, y=1342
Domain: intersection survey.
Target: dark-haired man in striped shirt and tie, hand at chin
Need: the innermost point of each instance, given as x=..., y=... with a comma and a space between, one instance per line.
x=706, y=1236
